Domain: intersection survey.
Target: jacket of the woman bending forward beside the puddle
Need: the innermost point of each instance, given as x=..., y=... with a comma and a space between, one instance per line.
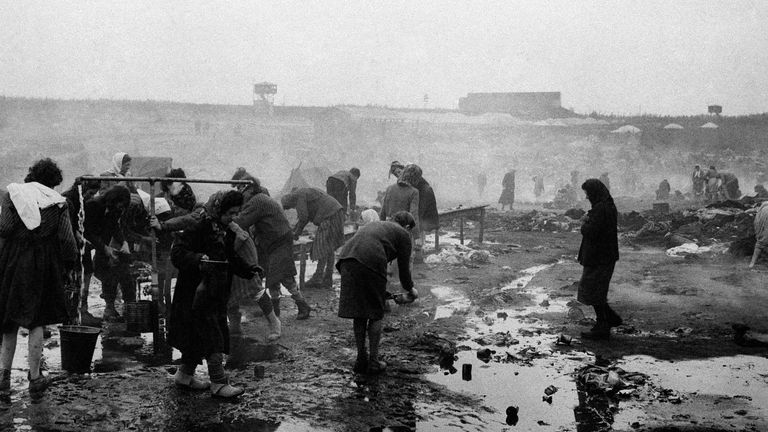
x=376, y=244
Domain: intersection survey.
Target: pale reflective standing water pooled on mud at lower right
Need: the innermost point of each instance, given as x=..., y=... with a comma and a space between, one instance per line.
x=519, y=374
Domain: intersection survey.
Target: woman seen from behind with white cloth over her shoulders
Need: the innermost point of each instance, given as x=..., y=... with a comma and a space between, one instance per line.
x=39, y=250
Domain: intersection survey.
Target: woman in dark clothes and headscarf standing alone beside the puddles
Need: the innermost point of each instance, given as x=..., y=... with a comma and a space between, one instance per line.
x=598, y=254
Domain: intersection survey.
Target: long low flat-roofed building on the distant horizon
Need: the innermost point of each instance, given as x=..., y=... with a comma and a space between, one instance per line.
x=526, y=104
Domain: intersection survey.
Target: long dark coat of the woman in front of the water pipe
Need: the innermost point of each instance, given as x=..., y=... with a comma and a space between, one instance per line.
x=198, y=329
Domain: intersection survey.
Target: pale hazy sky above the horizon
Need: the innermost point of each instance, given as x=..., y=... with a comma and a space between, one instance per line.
x=666, y=57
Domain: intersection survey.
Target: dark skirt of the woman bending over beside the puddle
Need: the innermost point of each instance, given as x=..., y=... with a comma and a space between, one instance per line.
x=363, y=291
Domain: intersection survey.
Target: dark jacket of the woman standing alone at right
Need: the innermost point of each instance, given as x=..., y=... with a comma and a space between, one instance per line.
x=599, y=242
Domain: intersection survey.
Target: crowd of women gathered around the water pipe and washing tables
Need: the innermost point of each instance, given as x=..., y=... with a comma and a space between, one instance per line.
x=51, y=245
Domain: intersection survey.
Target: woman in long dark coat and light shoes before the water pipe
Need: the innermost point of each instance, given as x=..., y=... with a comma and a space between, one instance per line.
x=206, y=258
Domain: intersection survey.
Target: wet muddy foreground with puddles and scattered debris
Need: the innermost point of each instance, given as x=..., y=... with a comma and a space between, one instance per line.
x=677, y=334
